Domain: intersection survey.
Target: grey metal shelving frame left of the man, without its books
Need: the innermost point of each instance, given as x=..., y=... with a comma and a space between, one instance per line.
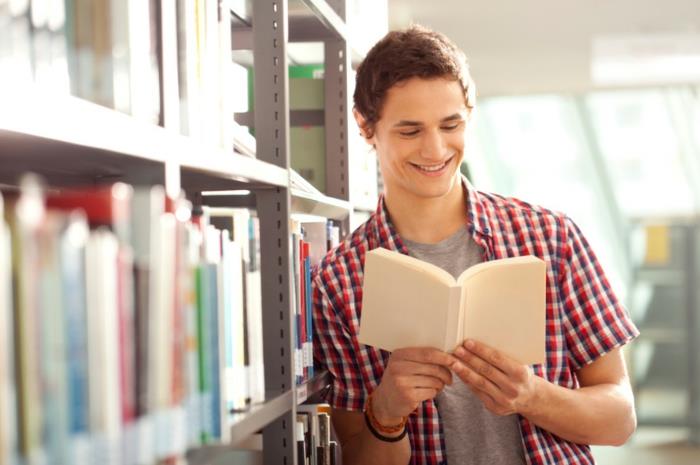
x=69, y=142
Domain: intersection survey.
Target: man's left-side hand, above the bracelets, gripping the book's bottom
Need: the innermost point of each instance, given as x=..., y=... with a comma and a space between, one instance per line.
x=412, y=376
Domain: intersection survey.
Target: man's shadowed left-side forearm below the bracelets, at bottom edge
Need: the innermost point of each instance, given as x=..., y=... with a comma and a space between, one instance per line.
x=364, y=448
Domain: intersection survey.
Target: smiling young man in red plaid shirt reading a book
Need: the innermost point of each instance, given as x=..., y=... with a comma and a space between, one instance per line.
x=413, y=99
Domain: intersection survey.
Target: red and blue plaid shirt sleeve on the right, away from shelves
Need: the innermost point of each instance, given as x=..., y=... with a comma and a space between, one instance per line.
x=595, y=322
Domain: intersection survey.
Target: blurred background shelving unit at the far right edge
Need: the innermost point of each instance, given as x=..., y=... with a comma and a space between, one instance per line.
x=665, y=362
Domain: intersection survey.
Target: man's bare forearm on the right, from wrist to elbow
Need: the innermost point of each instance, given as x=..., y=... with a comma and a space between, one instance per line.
x=602, y=414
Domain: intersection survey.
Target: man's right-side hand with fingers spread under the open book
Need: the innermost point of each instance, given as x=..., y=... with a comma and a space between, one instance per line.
x=503, y=385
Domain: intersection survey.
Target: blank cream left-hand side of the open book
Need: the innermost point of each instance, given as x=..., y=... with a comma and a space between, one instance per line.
x=404, y=306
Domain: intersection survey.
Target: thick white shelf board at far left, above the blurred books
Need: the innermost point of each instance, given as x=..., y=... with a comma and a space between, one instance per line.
x=69, y=140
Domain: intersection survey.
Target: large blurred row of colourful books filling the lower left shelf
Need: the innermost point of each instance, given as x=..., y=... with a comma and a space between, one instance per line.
x=116, y=309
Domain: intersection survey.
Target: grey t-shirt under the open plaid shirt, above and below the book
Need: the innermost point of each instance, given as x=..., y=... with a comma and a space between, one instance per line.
x=473, y=435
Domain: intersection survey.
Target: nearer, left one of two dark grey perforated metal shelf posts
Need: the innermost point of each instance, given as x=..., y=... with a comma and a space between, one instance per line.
x=270, y=35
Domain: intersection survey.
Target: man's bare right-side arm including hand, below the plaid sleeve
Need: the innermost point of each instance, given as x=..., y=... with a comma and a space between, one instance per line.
x=601, y=411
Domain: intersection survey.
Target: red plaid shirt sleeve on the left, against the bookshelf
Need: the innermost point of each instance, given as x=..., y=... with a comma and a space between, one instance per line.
x=335, y=349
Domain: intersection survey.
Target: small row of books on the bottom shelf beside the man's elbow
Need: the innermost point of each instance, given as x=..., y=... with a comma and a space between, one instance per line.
x=315, y=443
